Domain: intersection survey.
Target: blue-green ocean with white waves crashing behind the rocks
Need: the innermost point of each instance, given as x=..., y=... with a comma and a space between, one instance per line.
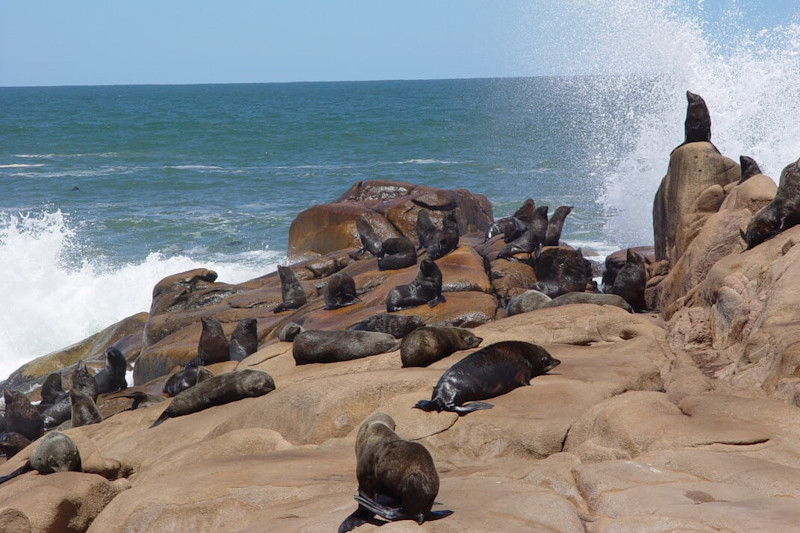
x=106, y=190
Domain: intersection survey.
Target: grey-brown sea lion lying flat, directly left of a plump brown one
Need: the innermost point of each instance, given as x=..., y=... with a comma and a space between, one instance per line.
x=319, y=346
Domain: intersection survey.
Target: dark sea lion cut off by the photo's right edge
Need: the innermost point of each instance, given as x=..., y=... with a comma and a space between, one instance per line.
x=782, y=213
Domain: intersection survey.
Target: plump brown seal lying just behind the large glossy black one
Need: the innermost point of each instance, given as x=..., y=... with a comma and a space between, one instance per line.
x=429, y=344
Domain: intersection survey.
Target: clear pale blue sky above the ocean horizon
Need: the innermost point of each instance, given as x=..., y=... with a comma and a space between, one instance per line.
x=102, y=42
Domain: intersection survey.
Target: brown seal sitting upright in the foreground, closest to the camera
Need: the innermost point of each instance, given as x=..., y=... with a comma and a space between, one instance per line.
x=391, y=468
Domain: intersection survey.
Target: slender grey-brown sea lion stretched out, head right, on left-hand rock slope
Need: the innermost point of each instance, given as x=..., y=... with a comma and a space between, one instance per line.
x=218, y=390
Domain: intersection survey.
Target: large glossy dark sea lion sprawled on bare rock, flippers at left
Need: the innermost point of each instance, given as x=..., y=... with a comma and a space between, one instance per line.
x=491, y=371
